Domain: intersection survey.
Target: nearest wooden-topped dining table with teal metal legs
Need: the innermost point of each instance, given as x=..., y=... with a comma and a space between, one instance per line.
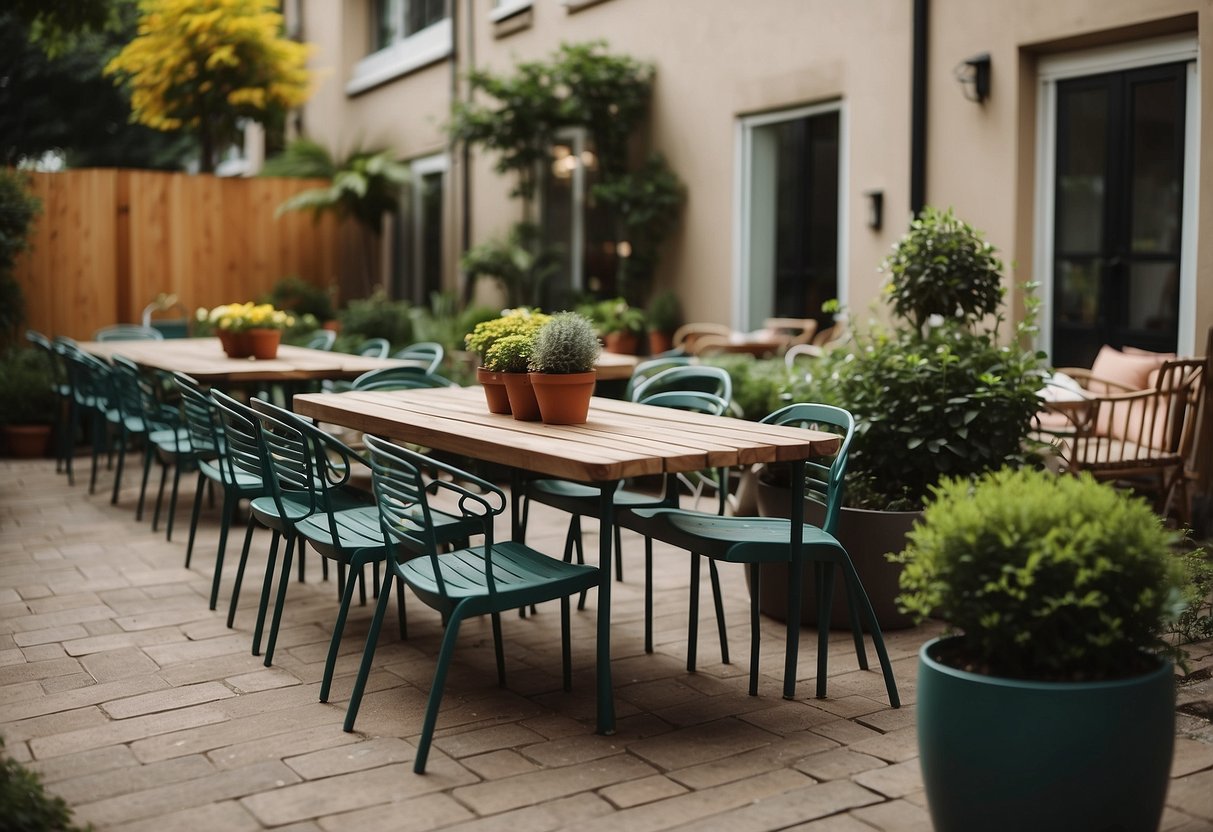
x=620, y=440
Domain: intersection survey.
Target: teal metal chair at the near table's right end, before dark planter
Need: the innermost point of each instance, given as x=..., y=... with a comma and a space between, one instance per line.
x=754, y=540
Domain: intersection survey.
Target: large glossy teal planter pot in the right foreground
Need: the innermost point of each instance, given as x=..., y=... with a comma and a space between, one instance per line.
x=1010, y=755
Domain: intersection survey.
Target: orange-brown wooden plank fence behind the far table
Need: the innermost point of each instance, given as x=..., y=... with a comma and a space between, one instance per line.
x=110, y=241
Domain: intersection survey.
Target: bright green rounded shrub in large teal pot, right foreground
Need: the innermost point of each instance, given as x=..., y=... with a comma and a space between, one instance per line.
x=1052, y=704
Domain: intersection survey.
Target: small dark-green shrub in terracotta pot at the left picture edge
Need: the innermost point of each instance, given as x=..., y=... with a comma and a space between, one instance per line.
x=27, y=403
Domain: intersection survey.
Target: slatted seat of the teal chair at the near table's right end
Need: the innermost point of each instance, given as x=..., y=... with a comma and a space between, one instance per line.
x=732, y=539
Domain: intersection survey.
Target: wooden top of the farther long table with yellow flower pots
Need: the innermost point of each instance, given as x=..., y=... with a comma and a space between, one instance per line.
x=206, y=361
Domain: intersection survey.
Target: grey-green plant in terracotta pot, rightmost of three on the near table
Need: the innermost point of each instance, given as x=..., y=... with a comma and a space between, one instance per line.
x=562, y=367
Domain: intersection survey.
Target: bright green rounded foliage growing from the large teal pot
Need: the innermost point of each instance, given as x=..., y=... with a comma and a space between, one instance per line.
x=1049, y=578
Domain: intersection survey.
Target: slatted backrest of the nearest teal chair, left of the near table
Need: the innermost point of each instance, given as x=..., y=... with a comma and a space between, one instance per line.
x=403, y=481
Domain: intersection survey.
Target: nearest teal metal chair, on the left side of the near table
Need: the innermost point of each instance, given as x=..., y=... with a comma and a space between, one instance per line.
x=487, y=579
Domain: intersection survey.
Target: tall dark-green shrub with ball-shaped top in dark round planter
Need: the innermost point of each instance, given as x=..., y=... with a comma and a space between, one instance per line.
x=938, y=392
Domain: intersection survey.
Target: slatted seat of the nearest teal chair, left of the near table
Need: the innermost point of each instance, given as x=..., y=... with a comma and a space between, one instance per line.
x=521, y=575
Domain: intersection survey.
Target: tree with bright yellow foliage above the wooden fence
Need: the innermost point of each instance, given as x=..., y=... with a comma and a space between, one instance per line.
x=203, y=65
